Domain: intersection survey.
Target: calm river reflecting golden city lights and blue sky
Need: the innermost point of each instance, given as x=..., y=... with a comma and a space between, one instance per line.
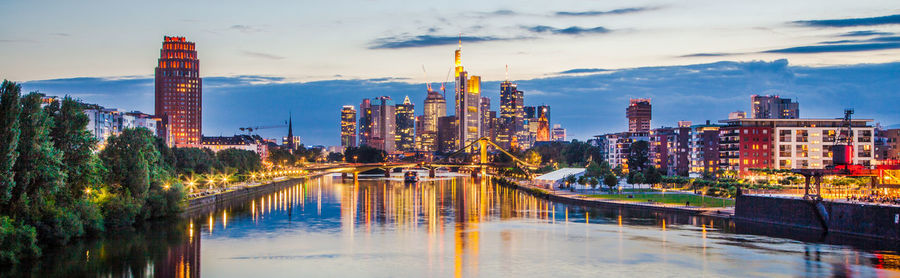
x=454, y=227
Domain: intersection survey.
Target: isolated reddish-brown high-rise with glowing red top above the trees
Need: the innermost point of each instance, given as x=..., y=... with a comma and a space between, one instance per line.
x=179, y=93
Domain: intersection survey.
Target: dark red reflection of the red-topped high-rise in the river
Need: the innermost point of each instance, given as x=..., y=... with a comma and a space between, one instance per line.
x=181, y=260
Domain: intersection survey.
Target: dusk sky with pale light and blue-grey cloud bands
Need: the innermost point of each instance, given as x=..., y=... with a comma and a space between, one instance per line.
x=263, y=59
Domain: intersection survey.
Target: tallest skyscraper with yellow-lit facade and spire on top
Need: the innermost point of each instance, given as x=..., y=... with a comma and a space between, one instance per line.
x=468, y=98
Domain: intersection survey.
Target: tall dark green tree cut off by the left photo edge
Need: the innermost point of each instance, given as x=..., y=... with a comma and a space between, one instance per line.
x=9, y=139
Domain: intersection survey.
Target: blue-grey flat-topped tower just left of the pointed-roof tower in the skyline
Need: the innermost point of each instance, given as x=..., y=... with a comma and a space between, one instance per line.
x=384, y=124
